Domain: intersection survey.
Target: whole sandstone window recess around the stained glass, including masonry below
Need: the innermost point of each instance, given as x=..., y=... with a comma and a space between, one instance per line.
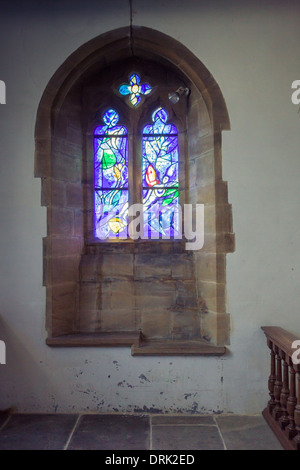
x=155, y=297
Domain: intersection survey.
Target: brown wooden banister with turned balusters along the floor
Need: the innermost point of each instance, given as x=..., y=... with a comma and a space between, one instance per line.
x=282, y=412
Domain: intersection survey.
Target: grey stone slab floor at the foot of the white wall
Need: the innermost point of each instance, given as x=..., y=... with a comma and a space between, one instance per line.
x=135, y=432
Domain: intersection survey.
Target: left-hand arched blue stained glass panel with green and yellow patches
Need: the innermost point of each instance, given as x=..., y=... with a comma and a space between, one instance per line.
x=111, y=178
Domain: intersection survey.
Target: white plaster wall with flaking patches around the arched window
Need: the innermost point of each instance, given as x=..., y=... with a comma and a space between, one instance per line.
x=252, y=50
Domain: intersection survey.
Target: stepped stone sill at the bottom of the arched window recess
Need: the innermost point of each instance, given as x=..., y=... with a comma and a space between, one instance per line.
x=139, y=346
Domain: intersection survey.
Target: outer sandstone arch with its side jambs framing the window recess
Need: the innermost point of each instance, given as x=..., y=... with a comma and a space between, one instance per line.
x=59, y=157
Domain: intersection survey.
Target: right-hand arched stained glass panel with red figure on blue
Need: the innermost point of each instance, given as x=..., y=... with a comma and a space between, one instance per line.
x=160, y=178
